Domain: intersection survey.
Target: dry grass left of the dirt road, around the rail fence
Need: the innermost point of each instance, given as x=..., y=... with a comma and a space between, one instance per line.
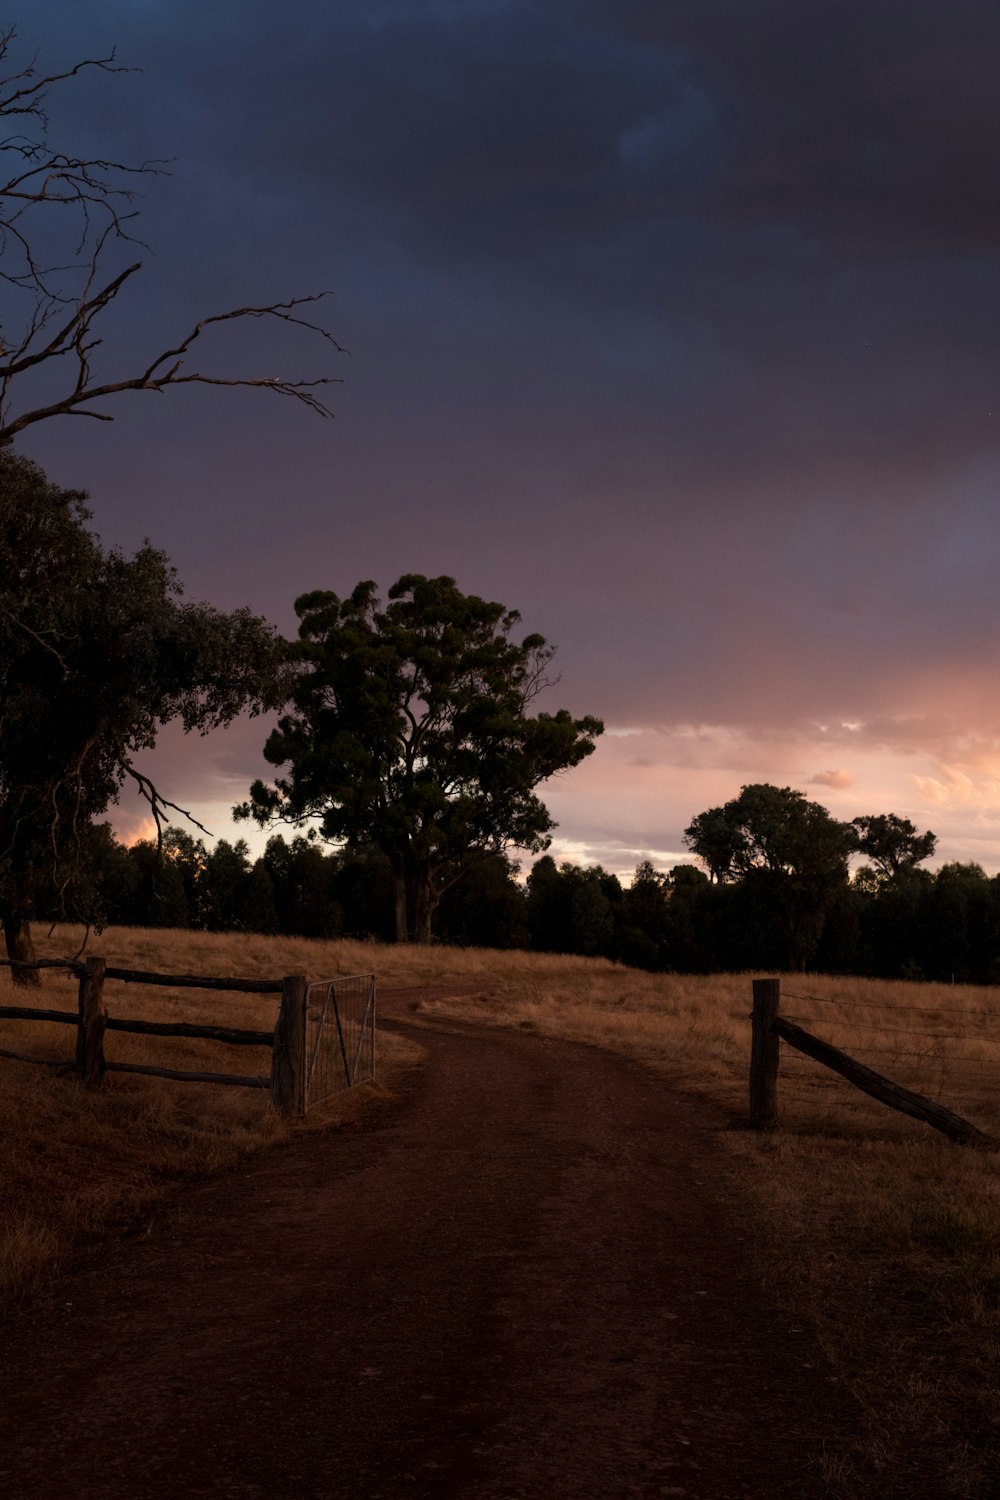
x=79, y=1166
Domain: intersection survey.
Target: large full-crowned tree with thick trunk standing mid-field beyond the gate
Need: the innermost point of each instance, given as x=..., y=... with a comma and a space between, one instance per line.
x=410, y=730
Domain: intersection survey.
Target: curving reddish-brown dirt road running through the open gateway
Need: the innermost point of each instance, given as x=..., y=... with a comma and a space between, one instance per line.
x=518, y=1283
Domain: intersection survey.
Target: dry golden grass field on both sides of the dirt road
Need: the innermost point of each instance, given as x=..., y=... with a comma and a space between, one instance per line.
x=881, y=1232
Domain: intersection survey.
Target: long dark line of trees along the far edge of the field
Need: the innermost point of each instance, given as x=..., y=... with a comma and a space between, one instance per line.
x=890, y=919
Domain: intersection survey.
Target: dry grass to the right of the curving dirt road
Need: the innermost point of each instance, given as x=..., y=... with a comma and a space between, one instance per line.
x=876, y=1229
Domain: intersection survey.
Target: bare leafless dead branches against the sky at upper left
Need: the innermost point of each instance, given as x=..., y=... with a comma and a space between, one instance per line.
x=52, y=302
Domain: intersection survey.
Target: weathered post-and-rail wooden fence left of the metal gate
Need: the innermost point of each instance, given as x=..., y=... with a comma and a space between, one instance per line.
x=287, y=1079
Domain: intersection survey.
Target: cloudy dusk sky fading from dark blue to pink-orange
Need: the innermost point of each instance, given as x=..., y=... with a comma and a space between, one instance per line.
x=674, y=326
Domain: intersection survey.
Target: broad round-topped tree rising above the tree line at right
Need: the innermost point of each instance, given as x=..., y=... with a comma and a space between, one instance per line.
x=789, y=857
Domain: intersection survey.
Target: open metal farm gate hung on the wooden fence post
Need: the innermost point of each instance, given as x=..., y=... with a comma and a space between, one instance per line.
x=340, y=1036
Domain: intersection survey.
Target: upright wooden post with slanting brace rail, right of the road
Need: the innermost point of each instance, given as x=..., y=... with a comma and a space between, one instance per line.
x=770, y=1030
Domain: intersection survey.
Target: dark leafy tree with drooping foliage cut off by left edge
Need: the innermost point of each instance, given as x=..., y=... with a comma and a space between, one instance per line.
x=97, y=652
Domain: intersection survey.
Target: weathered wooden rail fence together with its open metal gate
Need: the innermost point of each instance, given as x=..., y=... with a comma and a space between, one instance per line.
x=296, y=1042
